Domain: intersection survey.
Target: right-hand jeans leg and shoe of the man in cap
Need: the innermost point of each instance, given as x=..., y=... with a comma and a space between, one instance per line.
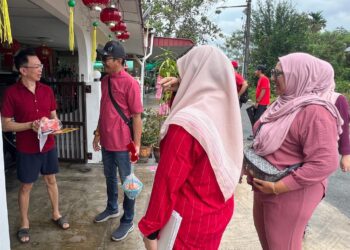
x=126, y=222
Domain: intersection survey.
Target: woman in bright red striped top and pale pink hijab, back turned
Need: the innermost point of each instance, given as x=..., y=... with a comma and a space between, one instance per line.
x=201, y=154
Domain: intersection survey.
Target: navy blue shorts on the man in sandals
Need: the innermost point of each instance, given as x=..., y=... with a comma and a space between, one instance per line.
x=30, y=165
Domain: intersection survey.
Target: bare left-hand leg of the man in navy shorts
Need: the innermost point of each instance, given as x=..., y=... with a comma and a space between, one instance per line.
x=23, y=203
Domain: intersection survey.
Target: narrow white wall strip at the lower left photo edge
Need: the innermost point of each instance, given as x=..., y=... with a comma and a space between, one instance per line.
x=4, y=225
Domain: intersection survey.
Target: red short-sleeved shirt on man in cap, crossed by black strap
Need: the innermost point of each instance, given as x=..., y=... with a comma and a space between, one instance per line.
x=115, y=134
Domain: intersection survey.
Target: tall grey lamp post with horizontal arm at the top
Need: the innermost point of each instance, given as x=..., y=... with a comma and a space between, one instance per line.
x=246, y=34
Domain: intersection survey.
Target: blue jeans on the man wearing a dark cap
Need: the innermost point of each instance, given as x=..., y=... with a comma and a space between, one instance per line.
x=111, y=161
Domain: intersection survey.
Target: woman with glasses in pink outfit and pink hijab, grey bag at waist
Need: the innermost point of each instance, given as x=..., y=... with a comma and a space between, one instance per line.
x=299, y=127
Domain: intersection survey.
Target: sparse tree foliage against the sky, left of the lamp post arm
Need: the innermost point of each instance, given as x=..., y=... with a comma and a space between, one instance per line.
x=183, y=19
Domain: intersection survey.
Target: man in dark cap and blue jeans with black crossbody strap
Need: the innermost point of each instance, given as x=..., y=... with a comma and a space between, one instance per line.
x=113, y=134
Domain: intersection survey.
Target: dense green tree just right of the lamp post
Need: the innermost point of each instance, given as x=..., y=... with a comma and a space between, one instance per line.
x=277, y=29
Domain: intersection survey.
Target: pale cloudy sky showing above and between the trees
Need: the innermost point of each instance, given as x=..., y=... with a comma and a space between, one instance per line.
x=336, y=13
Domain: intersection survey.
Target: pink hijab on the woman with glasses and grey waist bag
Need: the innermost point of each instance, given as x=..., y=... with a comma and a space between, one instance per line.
x=305, y=76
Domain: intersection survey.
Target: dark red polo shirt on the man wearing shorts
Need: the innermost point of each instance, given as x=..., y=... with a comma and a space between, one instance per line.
x=24, y=106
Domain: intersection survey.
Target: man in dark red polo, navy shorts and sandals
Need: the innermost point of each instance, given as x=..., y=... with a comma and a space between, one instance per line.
x=25, y=103
